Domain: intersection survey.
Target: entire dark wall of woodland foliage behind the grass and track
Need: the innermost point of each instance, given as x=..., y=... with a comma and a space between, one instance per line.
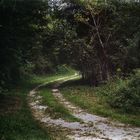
x=100, y=39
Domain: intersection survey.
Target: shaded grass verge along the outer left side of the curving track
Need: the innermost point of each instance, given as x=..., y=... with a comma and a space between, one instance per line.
x=16, y=121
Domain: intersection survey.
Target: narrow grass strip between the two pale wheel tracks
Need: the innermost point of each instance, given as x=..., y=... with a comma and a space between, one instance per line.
x=56, y=110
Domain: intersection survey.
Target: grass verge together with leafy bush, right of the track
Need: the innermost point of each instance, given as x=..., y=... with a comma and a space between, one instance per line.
x=118, y=99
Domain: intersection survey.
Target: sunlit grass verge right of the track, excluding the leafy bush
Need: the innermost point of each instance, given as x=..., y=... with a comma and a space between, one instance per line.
x=94, y=100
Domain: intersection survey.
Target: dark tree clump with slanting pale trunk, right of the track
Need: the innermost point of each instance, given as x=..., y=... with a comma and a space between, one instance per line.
x=106, y=39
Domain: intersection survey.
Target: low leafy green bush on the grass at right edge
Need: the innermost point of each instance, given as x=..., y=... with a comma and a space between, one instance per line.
x=127, y=97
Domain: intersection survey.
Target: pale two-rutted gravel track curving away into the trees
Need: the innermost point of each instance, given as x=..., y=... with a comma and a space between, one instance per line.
x=92, y=127
